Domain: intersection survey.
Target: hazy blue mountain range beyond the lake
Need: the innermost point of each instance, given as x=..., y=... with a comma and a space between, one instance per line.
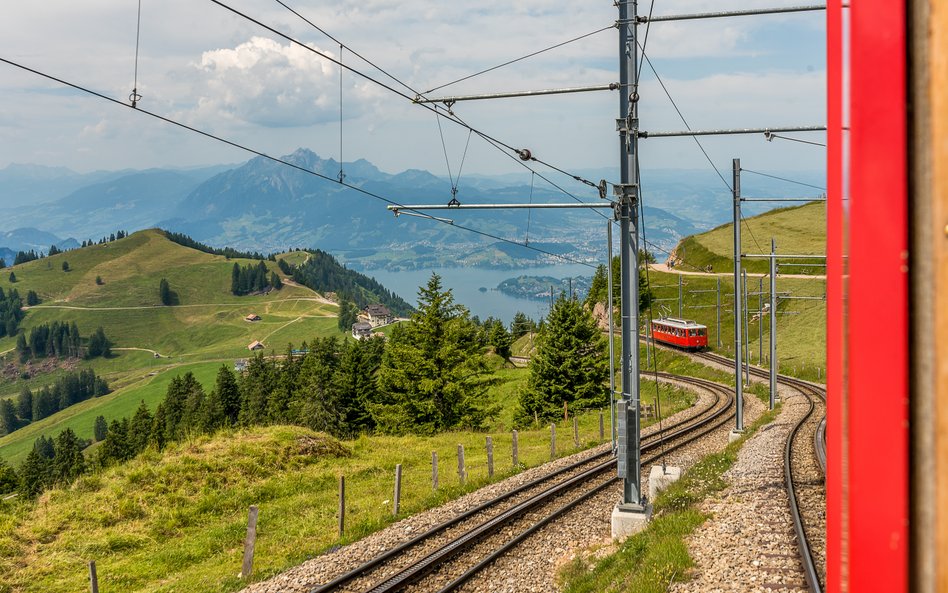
x=265, y=206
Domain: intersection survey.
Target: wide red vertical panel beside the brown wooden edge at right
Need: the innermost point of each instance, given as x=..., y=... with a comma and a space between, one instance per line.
x=877, y=323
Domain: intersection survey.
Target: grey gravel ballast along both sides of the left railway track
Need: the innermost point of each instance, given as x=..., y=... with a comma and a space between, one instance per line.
x=529, y=567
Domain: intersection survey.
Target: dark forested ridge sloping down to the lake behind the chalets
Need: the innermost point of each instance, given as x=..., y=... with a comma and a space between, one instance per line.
x=323, y=273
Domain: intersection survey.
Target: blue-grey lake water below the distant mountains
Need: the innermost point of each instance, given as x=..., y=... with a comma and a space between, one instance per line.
x=465, y=283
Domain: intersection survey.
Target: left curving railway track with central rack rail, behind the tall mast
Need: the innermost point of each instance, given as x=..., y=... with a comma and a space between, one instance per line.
x=449, y=554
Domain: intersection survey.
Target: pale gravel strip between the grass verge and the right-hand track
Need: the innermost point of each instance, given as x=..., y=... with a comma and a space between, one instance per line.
x=749, y=543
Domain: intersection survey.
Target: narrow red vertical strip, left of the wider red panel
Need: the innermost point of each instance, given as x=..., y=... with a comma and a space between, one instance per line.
x=835, y=306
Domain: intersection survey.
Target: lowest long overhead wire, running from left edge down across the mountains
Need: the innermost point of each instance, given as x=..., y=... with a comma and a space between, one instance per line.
x=264, y=155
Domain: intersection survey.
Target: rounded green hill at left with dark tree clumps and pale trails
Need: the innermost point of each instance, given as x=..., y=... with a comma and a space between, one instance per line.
x=206, y=330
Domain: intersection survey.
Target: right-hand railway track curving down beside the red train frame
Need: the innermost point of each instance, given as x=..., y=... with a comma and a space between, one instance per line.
x=804, y=473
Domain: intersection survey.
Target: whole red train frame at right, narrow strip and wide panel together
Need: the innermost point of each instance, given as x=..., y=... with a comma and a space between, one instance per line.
x=867, y=479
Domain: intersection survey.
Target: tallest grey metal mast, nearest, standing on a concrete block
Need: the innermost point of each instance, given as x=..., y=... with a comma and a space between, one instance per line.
x=629, y=460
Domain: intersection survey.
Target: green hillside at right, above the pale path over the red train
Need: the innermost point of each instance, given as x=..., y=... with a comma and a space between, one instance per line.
x=798, y=230
